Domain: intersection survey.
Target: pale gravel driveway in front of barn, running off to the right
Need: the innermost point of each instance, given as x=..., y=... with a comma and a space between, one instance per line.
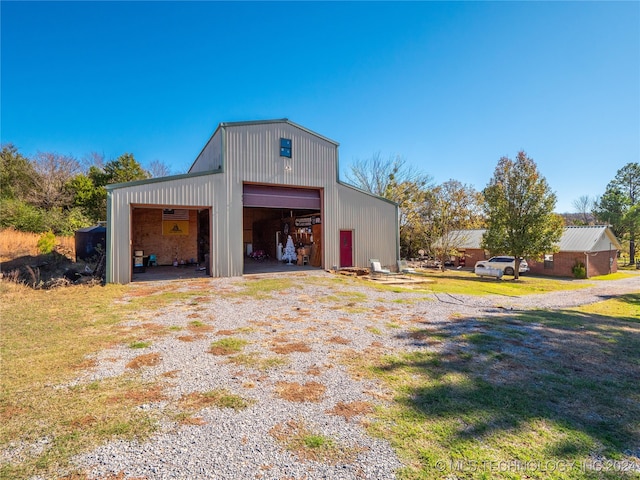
x=239, y=444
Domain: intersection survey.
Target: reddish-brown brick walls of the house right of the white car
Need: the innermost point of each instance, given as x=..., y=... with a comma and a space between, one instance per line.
x=563, y=262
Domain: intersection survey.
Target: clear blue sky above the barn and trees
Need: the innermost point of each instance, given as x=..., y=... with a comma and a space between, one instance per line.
x=449, y=86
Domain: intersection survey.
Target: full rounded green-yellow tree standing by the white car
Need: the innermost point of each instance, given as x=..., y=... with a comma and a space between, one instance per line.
x=519, y=208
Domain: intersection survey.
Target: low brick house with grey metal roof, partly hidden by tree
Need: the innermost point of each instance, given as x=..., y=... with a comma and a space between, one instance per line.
x=594, y=246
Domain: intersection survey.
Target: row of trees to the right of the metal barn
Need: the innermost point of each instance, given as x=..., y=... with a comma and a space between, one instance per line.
x=516, y=207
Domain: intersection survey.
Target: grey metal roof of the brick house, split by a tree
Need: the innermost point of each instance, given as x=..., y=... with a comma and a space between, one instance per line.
x=574, y=239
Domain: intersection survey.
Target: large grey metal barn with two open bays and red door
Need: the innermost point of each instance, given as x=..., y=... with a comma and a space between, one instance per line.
x=252, y=185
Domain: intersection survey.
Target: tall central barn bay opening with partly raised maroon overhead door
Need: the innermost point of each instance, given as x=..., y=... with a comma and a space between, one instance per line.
x=270, y=215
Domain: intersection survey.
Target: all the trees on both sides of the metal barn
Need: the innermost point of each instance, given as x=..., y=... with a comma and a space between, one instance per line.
x=58, y=193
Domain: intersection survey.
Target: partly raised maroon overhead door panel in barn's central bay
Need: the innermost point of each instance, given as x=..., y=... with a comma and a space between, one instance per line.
x=280, y=197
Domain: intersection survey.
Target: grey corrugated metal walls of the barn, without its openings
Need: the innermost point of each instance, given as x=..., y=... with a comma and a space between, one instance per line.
x=250, y=152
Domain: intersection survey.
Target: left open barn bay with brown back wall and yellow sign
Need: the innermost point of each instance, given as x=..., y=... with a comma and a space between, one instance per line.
x=169, y=243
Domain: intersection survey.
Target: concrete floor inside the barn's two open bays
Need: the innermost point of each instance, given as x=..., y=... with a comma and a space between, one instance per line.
x=251, y=267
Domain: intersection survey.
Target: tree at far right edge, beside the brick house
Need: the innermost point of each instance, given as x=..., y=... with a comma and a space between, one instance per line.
x=617, y=207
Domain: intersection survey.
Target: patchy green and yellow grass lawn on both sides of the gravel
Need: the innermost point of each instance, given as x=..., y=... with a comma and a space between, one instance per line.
x=488, y=397
